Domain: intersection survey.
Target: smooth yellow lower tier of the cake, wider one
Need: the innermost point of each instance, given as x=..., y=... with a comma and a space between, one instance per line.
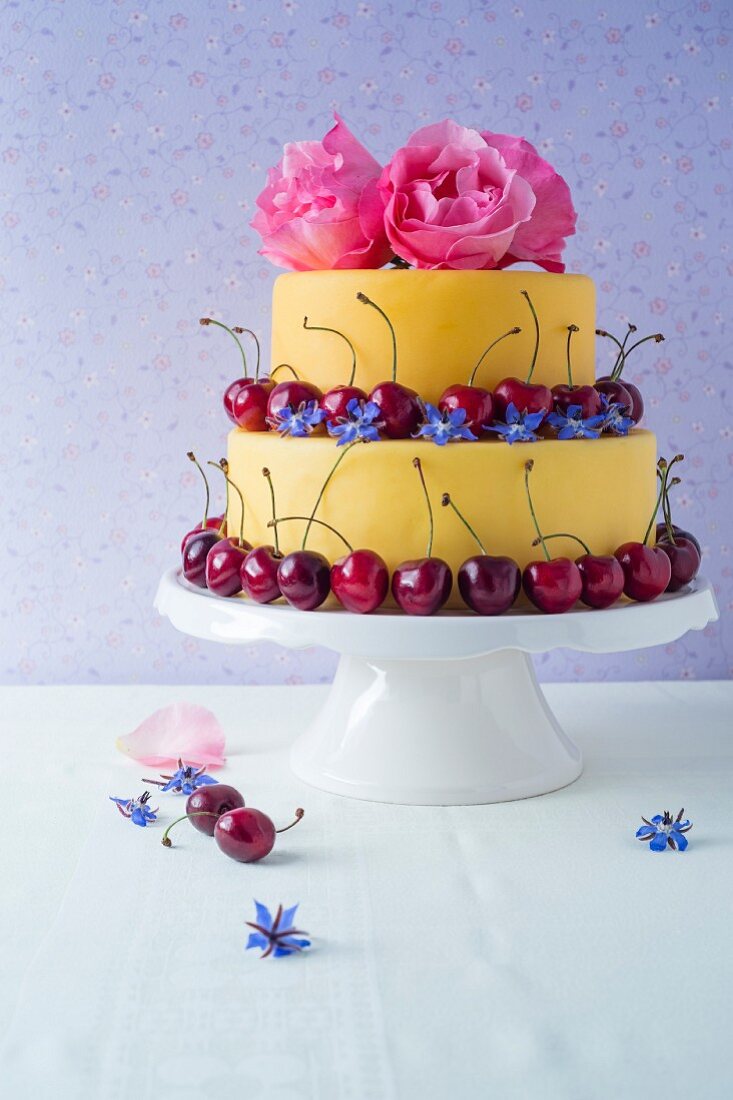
x=600, y=490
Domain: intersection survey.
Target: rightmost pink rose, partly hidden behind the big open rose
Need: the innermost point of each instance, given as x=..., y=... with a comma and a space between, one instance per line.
x=541, y=240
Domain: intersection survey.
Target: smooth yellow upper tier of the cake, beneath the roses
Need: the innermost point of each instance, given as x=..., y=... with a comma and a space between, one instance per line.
x=444, y=322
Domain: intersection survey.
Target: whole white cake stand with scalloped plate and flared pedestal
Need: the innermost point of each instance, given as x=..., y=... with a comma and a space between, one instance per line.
x=440, y=711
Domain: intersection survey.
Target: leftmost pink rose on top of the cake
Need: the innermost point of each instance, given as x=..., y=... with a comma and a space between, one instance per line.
x=321, y=208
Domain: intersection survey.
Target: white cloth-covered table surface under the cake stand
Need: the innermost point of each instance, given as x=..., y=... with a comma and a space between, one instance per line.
x=524, y=950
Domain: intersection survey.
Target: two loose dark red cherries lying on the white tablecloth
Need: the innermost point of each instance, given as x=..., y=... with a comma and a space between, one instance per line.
x=243, y=833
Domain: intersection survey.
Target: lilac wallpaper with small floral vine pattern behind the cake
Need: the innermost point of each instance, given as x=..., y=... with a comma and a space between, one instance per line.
x=135, y=137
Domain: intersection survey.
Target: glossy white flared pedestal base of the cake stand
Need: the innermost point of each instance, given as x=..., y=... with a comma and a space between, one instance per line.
x=436, y=733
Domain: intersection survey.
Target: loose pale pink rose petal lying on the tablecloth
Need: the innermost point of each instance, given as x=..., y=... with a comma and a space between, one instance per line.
x=181, y=731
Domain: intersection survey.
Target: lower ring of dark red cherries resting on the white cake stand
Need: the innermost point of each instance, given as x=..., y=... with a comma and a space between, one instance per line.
x=489, y=585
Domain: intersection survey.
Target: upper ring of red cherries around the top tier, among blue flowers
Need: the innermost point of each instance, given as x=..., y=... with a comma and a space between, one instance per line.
x=259, y=404
